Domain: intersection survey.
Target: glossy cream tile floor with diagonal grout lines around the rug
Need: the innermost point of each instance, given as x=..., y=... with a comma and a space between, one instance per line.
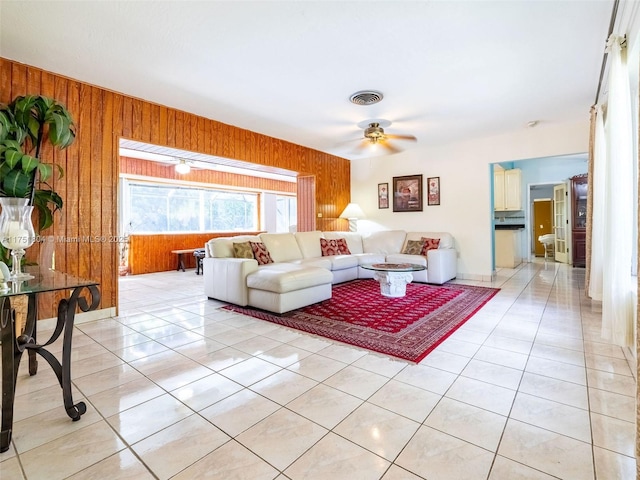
x=178, y=388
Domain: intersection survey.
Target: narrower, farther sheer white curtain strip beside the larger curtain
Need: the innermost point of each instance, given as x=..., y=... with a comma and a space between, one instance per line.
x=598, y=181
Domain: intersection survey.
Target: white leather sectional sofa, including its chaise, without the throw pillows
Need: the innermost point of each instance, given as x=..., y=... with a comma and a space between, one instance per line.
x=300, y=275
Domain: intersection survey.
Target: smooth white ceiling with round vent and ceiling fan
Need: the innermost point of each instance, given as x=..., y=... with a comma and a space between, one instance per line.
x=448, y=69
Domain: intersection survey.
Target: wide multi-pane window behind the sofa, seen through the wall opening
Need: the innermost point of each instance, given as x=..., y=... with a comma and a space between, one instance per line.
x=156, y=208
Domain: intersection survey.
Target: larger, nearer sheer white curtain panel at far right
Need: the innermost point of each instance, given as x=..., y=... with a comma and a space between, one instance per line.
x=617, y=299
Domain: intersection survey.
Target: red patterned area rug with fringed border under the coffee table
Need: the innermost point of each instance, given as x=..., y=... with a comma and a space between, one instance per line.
x=409, y=327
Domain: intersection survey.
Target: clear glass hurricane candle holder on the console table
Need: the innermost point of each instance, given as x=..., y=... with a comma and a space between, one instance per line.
x=16, y=232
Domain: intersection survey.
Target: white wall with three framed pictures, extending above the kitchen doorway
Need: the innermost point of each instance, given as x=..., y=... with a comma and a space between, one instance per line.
x=465, y=203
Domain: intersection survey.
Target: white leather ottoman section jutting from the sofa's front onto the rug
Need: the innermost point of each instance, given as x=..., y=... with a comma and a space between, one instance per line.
x=281, y=287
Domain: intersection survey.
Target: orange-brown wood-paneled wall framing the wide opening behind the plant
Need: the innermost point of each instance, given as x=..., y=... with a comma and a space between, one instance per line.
x=89, y=187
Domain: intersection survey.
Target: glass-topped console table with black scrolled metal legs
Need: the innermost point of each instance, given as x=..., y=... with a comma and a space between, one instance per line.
x=79, y=293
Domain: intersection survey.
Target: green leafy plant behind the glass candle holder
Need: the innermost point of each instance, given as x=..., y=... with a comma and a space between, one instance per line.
x=25, y=125
